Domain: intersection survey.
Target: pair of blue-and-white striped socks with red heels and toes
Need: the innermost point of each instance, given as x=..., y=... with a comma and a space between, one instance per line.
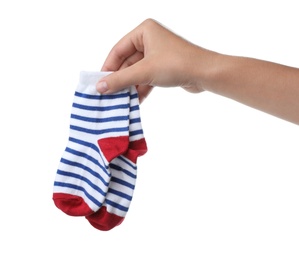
x=97, y=172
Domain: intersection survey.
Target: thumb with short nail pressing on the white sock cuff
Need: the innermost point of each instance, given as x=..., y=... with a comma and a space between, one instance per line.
x=121, y=79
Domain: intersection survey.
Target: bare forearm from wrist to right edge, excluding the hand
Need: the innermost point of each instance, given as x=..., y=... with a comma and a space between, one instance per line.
x=266, y=86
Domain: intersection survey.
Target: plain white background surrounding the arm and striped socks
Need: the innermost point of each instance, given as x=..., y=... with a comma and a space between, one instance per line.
x=220, y=180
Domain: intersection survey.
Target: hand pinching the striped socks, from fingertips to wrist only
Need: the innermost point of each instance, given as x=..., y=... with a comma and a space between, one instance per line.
x=149, y=56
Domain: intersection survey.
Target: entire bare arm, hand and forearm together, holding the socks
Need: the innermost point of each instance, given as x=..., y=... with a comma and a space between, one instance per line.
x=152, y=55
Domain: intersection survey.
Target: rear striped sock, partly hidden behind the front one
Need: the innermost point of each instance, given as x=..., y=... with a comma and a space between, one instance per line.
x=124, y=172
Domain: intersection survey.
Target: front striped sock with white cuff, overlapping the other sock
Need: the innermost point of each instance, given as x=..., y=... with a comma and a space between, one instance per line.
x=99, y=132
